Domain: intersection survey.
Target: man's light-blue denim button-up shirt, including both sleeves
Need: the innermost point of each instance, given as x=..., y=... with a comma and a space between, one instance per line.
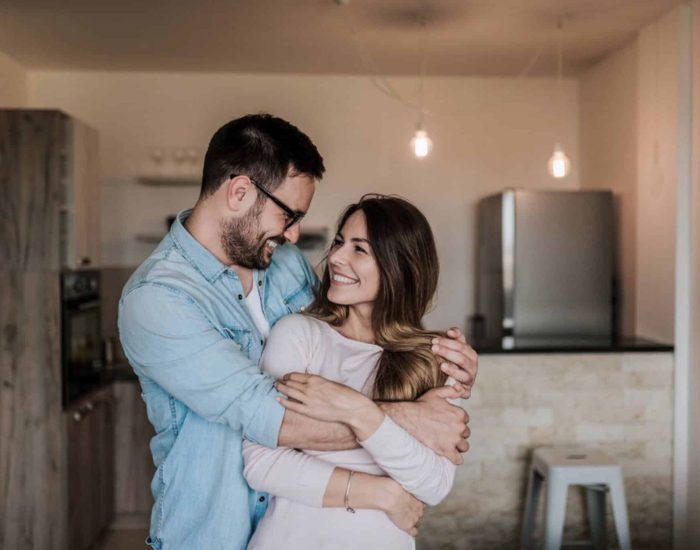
x=187, y=333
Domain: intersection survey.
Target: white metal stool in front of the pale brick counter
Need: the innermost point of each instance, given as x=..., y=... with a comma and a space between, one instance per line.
x=560, y=467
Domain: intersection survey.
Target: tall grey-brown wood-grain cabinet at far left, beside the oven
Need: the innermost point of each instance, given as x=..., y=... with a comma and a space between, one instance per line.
x=49, y=211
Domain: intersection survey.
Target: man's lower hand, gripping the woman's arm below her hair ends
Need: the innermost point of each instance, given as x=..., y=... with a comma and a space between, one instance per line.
x=435, y=422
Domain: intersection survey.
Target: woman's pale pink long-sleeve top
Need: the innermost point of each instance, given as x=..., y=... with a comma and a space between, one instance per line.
x=297, y=479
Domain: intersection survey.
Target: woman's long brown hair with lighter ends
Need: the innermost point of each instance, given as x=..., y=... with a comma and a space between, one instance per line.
x=404, y=249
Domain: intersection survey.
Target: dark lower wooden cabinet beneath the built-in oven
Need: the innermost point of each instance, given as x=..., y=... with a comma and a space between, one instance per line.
x=90, y=435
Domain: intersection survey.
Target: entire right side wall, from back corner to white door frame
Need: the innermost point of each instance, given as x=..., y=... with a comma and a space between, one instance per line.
x=629, y=143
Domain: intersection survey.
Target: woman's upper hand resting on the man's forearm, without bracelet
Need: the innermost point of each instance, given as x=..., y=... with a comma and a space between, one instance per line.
x=319, y=398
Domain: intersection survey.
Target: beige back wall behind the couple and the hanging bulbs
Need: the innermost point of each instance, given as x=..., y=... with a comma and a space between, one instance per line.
x=488, y=134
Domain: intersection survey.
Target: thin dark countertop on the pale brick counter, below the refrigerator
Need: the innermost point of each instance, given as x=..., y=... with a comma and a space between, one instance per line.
x=570, y=345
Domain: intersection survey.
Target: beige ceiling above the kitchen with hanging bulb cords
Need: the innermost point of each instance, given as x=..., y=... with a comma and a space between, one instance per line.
x=454, y=37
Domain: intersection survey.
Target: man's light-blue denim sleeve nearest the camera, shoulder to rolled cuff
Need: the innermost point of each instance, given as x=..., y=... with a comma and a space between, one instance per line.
x=168, y=339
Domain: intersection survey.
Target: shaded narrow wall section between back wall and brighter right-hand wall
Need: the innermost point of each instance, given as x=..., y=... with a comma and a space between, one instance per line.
x=608, y=149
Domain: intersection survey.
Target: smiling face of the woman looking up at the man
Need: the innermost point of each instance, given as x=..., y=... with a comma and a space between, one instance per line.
x=353, y=270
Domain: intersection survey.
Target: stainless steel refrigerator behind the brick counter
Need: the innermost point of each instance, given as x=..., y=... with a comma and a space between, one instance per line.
x=546, y=265
